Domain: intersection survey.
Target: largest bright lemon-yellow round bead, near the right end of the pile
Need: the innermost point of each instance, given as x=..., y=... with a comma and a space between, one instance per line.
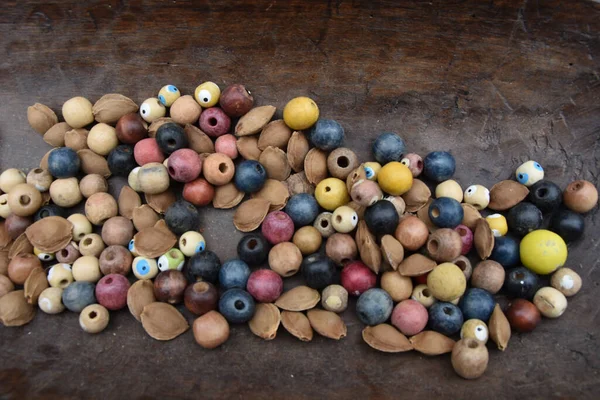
x=543, y=251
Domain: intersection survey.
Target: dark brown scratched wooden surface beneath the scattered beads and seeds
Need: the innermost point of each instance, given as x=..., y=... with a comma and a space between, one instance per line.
x=494, y=82
